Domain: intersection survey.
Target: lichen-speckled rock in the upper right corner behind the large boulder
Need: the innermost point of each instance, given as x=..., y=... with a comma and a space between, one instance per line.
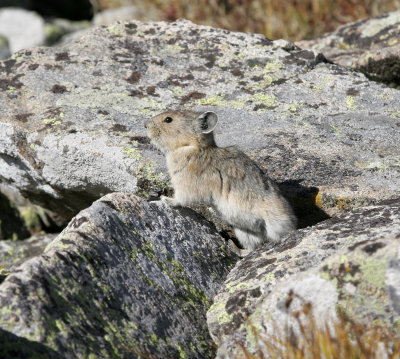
x=371, y=46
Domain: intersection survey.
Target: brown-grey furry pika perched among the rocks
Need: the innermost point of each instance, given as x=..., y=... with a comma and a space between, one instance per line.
x=224, y=178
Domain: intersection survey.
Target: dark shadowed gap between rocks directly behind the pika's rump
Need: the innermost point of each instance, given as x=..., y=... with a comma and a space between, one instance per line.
x=303, y=201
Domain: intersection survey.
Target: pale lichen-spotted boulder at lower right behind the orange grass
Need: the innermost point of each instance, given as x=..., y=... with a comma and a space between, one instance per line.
x=351, y=263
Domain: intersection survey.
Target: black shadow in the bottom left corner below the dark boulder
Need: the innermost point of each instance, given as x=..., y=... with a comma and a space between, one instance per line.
x=13, y=347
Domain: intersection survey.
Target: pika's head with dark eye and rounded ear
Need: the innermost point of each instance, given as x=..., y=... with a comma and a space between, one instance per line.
x=174, y=129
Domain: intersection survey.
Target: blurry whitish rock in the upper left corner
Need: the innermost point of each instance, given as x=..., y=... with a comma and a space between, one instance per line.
x=23, y=29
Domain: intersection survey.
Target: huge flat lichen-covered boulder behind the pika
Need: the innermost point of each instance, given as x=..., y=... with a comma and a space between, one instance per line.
x=71, y=126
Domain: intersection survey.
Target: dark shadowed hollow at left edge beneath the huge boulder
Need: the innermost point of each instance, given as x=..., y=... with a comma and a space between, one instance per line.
x=11, y=223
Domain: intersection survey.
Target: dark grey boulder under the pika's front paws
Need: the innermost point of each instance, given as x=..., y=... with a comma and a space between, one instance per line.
x=125, y=278
